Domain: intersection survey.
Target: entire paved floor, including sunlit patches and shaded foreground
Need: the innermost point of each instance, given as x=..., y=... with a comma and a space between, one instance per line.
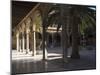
x=22, y=63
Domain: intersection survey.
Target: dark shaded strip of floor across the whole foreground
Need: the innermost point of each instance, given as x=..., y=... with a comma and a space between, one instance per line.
x=25, y=67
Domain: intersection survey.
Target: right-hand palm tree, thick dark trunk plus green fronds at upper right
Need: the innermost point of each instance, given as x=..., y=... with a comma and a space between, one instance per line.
x=80, y=15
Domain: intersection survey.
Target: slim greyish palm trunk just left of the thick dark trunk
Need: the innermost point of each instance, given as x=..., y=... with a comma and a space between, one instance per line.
x=65, y=22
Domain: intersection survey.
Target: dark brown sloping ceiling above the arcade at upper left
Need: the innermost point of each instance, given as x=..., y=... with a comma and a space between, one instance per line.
x=19, y=9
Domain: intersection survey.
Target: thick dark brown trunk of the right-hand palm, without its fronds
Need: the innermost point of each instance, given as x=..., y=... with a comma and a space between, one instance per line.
x=75, y=48
